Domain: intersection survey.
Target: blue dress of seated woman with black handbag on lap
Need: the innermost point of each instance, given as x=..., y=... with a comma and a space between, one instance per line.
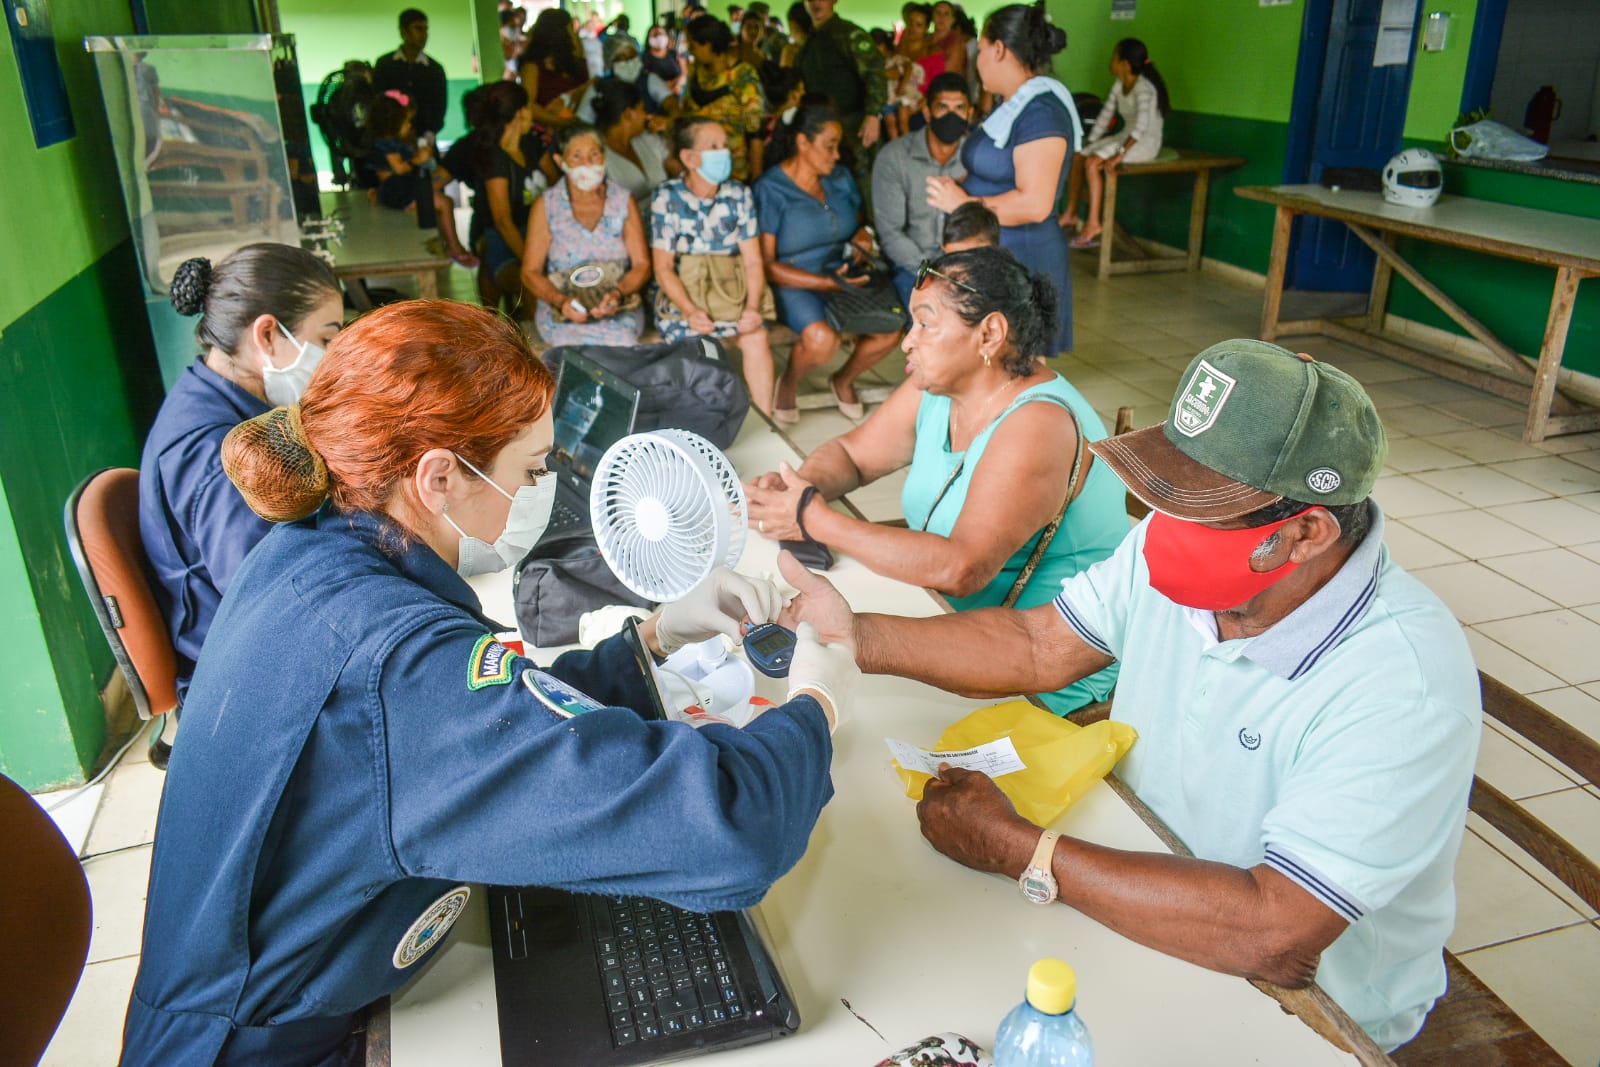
x=810, y=234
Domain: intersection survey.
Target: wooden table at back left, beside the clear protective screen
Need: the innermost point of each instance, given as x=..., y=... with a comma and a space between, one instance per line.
x=382, y=244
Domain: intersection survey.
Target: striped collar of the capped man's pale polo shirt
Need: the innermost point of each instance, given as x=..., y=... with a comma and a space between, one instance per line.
x=1295, y=644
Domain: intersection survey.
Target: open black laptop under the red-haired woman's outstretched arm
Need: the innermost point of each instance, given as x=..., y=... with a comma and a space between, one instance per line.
x=610, y=981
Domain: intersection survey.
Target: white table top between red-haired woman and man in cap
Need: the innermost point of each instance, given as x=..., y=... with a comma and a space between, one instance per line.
x=873, y=916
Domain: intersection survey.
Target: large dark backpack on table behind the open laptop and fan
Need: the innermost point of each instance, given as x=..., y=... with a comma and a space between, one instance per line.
x=690, y=385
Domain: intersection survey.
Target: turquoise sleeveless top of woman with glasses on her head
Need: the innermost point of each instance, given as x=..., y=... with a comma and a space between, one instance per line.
x=1094, y=527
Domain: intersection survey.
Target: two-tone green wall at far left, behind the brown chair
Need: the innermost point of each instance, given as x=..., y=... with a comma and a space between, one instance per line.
x=78, y=385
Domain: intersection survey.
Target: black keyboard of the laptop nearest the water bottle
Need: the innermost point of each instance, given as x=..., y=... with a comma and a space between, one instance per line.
x=663, y=969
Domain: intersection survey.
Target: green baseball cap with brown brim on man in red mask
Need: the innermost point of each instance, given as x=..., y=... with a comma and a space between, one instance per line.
x=1252, y=425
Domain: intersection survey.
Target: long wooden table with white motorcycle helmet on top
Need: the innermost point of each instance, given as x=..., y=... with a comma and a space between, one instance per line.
x=1569, y=244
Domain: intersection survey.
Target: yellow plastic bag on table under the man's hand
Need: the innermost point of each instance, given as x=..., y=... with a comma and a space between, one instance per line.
x=1062, y=759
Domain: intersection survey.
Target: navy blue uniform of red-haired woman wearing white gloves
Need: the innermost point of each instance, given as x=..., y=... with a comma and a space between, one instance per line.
x=356, y=746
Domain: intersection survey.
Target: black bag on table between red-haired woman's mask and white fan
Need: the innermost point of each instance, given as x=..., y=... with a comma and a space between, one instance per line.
x=559, y=581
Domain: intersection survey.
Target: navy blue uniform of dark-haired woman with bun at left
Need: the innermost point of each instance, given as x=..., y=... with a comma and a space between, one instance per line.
x=196, y=526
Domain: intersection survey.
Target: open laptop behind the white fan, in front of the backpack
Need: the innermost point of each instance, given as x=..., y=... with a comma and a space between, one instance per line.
x=594, y=410
